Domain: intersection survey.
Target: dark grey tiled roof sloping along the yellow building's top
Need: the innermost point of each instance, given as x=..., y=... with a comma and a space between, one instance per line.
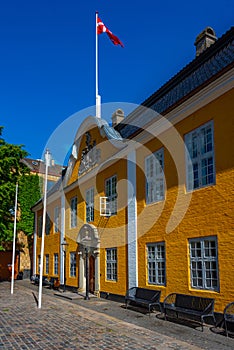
x=215, y=60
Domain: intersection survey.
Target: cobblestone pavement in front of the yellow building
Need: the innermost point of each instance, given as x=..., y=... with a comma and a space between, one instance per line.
x=94, y=324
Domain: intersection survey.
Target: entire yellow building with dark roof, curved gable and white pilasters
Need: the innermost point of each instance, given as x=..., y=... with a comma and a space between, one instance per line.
x=148, y=201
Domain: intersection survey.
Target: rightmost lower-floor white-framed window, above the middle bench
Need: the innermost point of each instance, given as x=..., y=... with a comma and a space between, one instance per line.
x=204, y=263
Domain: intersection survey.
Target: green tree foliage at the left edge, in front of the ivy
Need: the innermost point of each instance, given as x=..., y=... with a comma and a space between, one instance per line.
x=11, y=170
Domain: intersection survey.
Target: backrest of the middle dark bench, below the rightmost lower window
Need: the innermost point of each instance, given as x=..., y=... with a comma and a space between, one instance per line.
x=193, y=302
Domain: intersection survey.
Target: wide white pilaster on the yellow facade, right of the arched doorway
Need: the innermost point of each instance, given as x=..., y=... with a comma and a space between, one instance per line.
x=132, y=222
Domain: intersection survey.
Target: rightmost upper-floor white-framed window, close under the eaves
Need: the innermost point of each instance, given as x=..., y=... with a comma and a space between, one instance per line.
x=200, y=164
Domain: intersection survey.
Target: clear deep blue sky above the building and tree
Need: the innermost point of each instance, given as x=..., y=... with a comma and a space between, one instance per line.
x=47, y=64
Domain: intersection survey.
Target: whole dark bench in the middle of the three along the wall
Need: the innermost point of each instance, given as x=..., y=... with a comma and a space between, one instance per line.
x=189, y=307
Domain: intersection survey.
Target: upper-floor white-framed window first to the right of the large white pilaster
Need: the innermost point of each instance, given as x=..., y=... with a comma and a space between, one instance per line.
x=154, y=171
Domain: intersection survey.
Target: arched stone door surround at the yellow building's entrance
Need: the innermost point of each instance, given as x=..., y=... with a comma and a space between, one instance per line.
x=89, y=245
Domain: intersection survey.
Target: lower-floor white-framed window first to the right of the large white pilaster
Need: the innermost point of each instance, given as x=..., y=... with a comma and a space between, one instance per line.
x=156, y=263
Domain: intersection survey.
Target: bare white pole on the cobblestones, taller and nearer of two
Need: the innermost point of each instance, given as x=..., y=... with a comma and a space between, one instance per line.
x=47, y=164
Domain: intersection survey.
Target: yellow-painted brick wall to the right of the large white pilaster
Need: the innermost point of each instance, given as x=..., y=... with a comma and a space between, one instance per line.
x=210, y=212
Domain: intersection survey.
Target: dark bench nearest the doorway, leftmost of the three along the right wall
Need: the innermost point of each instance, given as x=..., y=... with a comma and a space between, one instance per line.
x=148, y=298
